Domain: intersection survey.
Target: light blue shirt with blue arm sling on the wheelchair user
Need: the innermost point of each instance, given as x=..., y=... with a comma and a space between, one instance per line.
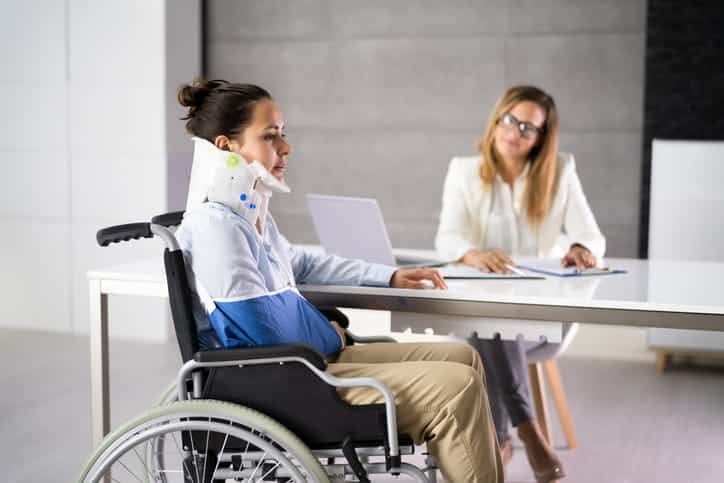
x=245, y=284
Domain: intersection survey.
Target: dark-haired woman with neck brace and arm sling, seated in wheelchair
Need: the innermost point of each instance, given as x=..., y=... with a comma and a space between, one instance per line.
x=244, y=274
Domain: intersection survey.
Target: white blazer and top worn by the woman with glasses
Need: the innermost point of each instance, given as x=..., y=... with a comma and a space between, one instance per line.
x=476, y=217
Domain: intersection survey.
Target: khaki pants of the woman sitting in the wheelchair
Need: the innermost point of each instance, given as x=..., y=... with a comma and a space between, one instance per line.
x=441, y=400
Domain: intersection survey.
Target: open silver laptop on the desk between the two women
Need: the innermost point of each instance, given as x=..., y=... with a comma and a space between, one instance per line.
x=354, y=228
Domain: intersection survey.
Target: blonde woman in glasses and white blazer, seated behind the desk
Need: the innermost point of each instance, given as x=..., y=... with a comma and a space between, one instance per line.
x=518, y=197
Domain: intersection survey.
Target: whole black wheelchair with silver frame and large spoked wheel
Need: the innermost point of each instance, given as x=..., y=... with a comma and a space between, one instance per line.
x=255, y=414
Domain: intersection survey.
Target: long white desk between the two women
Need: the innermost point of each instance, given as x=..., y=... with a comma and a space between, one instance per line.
x=681, y=295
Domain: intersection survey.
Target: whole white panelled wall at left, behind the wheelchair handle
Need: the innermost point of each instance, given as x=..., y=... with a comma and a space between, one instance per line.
x=83, y=146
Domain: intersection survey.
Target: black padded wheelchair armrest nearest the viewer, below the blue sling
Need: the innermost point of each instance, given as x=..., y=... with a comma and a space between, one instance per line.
x=303, y=351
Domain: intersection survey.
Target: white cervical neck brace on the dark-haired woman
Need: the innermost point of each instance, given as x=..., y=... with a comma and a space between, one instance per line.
x=227, y=178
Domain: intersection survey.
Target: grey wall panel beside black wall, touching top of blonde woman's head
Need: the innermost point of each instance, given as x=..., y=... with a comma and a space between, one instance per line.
x=597, y=80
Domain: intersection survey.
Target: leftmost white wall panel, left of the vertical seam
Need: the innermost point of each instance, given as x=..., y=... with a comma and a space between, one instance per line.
x=35, y=190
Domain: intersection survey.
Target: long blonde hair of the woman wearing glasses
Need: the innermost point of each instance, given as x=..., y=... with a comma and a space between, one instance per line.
x=543, y=158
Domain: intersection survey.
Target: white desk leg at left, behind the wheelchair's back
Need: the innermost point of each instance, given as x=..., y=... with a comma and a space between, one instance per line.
x=100, y=402
